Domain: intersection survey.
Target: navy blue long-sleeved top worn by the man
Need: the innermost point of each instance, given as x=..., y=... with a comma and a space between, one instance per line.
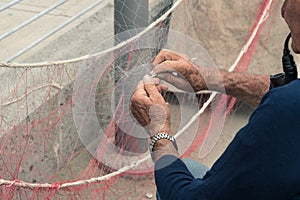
x=262, y=161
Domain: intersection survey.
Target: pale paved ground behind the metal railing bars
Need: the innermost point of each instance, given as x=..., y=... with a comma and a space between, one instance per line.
x=60, y=13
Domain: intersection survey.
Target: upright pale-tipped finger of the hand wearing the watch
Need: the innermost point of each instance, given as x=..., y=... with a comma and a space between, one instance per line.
x=152, y=89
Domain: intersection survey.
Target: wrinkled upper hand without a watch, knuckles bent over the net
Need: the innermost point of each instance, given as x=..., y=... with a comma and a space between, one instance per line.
x=189, y=76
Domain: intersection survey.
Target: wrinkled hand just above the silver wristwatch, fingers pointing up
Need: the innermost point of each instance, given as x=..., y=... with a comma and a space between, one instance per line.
x=149, y=107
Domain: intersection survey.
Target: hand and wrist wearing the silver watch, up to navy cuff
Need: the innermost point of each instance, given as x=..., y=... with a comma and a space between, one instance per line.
x=152, y=112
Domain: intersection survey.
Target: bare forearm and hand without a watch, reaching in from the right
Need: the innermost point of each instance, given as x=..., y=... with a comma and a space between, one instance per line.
x=249, y=88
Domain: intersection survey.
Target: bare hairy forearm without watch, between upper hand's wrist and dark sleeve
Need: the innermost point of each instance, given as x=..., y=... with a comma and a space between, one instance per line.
x=247, y=87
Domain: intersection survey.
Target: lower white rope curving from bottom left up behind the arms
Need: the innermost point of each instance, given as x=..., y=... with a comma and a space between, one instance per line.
x=19, y=183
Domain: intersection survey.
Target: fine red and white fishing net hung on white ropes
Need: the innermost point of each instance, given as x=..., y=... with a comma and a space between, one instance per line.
x=66, y=130
